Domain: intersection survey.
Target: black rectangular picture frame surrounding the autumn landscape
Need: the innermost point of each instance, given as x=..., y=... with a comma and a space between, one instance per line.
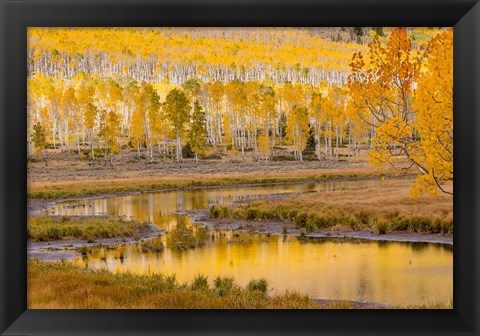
x=16, y=16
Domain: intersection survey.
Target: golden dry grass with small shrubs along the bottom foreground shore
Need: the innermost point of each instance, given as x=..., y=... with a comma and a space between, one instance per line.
x=60, y=285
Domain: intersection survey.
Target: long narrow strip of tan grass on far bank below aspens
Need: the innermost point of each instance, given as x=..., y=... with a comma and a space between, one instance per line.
x=65, y=182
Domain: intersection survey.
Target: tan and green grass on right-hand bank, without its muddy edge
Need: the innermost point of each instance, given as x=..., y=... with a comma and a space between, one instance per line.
x=383, y=208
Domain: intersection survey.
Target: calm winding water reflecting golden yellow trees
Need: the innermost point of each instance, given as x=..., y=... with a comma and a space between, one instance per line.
x=394, y=273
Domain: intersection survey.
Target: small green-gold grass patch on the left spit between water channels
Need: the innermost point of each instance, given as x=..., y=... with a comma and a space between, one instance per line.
x=44, y=228
